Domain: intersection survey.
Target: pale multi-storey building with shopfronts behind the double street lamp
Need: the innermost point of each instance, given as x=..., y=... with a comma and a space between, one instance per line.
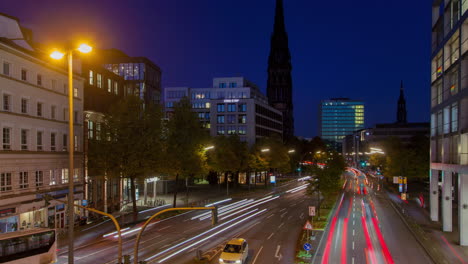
x=34, y=134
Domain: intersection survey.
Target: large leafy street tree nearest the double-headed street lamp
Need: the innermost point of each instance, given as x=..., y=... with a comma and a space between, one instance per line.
x=130, y=144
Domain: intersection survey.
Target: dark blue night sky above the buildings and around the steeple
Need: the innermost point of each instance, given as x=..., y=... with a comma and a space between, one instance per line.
x=357, y=49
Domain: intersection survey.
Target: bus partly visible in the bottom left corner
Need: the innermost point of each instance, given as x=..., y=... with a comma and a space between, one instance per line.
x=32, y=246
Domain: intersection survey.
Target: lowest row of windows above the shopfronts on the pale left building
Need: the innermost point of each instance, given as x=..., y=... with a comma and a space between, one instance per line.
x=27, y=179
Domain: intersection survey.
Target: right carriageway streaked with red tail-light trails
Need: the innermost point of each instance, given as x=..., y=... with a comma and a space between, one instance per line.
x=365, y=229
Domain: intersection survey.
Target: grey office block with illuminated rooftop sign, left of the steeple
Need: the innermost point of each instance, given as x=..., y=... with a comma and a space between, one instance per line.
x=231, y=106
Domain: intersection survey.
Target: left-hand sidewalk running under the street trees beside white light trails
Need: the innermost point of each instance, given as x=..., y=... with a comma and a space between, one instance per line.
x=199, y=195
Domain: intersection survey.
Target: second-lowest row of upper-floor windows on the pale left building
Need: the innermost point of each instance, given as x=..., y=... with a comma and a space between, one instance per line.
x=26, y=137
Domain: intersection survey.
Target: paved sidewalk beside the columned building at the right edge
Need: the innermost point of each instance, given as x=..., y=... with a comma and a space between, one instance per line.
x=441, y=246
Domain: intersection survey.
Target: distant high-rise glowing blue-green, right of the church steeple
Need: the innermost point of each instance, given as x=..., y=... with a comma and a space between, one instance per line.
x=339, y=117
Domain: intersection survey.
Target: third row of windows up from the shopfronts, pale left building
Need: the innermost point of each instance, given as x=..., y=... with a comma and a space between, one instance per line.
x=25, y=108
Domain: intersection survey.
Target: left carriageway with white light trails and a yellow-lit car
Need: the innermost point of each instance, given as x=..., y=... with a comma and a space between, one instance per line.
x=271, y=223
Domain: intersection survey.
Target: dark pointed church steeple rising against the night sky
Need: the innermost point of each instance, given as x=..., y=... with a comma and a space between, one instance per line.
x=279, y=84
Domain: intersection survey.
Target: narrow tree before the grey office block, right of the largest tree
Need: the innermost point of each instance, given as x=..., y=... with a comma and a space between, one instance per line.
x=185, y=145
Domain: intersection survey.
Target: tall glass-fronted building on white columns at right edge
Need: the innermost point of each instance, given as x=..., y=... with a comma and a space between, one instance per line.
x=449, y=114
